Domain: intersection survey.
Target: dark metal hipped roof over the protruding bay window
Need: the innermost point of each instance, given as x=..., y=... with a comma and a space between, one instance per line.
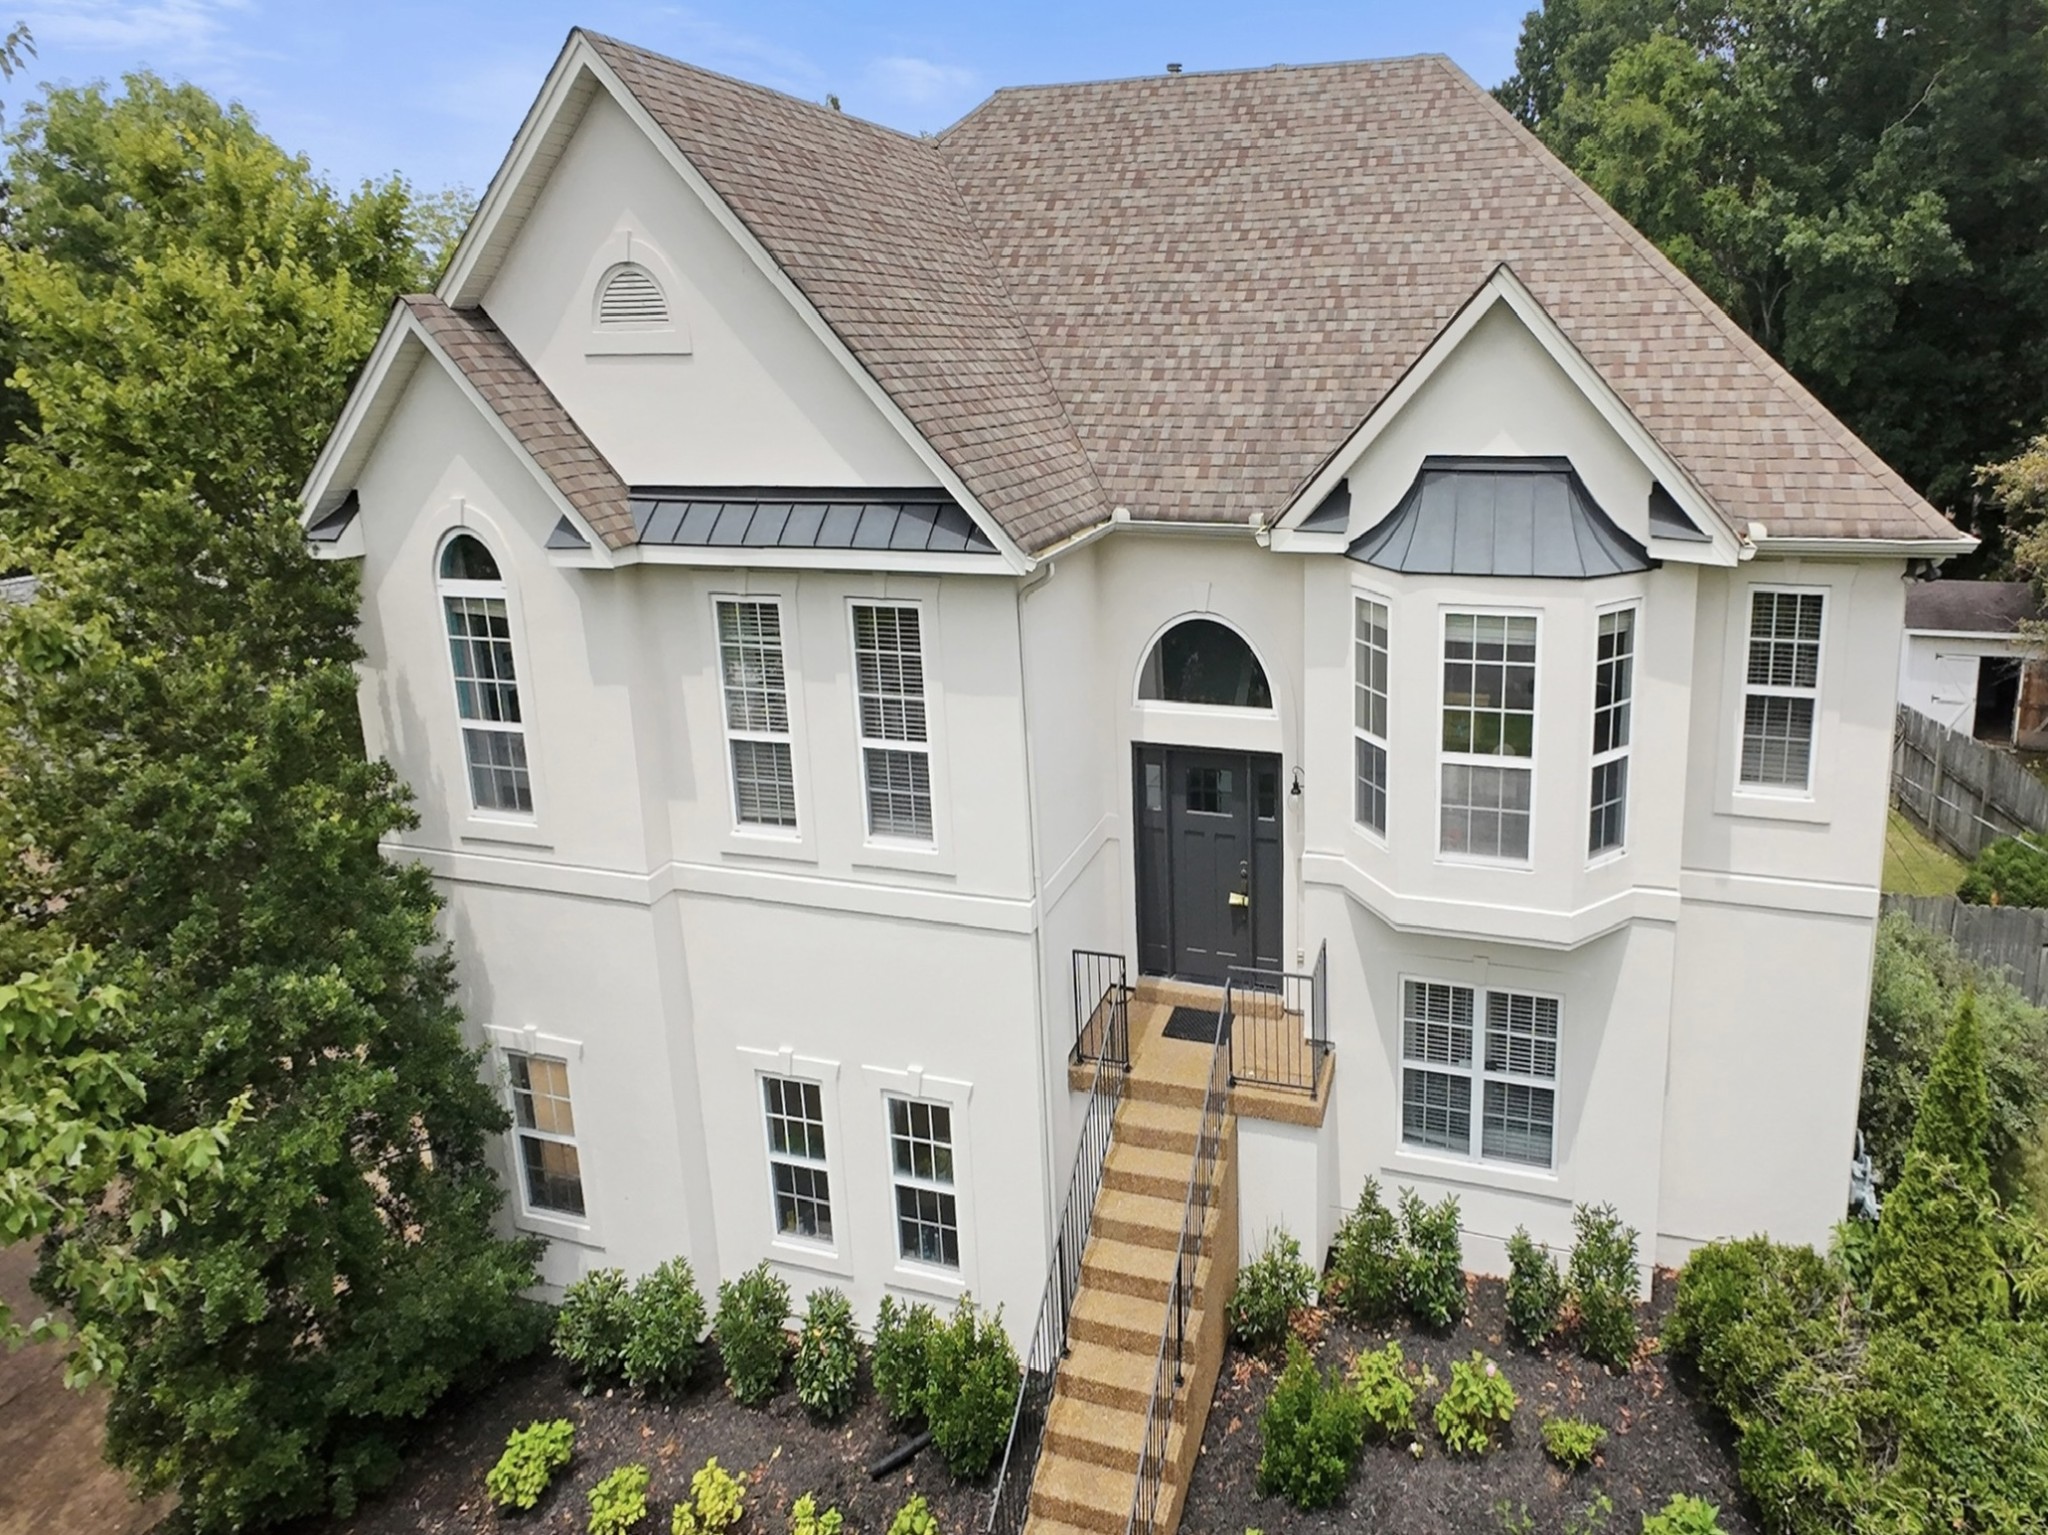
x=1500, y=517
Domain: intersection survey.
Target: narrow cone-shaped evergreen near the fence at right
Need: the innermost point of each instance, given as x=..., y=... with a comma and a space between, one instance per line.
x=1934, y=1260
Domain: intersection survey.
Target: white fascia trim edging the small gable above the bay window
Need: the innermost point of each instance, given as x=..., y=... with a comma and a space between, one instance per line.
x=1506, y=288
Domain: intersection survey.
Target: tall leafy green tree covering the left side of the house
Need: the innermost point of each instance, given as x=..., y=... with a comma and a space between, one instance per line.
x=187, y=795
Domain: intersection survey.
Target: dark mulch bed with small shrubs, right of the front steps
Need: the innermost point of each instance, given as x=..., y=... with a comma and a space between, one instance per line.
x=1662, y=1440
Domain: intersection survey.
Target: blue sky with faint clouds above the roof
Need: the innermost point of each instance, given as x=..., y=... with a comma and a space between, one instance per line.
x=437, y=89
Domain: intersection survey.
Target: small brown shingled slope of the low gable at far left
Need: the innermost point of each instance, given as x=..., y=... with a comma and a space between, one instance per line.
x=531, y=414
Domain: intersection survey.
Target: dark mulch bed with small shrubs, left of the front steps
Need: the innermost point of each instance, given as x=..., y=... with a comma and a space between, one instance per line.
x=777, y=1448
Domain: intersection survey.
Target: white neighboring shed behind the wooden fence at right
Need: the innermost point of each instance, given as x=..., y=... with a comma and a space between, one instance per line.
x=1967, y=664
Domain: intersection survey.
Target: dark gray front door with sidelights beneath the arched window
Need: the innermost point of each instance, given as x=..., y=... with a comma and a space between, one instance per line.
x=1207, y=861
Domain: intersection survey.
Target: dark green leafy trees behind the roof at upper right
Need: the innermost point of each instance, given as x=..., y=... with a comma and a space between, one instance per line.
x=1863, y=185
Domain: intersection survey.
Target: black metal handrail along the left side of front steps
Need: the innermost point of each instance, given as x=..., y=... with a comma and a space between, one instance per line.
x=1109, y=1014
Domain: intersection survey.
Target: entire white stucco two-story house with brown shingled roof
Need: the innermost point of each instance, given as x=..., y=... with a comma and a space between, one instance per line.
x=820, y=582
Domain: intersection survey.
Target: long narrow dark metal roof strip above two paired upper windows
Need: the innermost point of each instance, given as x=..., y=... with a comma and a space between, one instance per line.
x=890, y=521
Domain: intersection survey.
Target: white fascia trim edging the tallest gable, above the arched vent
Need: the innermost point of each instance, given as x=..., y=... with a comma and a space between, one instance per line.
x=466, y=281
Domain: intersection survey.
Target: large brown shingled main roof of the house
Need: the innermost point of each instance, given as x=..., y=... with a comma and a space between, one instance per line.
x=1181, y=294
